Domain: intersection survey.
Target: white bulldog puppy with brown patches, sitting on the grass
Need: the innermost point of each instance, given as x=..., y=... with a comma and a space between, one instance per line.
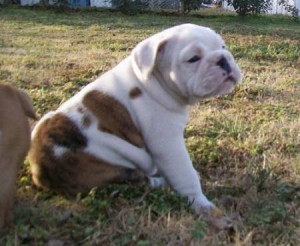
x=129, y=123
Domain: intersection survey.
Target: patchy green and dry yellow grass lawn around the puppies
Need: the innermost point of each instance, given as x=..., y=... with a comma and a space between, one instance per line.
x=245, y=145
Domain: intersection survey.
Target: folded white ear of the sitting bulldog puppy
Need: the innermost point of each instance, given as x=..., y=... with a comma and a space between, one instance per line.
x=145, y=53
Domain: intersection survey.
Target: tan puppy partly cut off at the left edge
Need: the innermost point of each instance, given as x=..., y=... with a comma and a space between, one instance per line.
x=15, y=107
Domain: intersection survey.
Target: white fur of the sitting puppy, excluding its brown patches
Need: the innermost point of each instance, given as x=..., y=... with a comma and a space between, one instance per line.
x=169, y=83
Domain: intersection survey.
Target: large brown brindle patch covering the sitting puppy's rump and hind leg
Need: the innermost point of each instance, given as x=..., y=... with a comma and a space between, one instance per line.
x=75, y=171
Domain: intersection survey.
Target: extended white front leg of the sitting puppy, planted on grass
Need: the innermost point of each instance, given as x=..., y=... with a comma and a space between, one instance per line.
x=174, y=164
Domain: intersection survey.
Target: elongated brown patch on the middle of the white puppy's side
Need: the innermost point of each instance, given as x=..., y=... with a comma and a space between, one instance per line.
x=113, y=117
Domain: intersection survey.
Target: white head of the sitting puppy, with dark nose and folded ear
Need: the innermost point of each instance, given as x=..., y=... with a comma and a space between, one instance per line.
x=190, y=61
